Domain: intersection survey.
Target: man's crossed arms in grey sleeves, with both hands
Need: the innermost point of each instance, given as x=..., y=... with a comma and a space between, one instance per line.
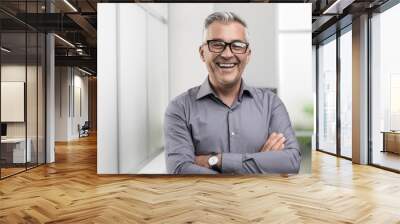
x=279, y=154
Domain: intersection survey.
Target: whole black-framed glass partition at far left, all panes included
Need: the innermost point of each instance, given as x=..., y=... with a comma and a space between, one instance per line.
x=22, y=77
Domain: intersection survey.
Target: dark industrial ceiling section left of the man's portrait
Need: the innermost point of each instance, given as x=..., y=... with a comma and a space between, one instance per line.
x=75, y=43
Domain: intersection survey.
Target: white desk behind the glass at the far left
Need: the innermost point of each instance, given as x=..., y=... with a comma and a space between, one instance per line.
x=13, y=150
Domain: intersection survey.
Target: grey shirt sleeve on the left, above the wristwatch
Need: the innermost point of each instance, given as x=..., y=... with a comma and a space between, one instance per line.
x=179, y=147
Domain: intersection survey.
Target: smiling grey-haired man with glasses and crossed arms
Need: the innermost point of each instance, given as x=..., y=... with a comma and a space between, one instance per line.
x=225, y=126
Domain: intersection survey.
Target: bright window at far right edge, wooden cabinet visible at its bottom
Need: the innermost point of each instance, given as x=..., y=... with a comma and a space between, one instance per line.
x=385, y=89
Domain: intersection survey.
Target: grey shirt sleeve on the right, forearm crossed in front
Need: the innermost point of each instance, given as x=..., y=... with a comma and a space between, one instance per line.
x=283, y=161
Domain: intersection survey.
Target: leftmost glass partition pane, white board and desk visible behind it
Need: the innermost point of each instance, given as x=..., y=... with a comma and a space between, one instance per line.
x=13, y=111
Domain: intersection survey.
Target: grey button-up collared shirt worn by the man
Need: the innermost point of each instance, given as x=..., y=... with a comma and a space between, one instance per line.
x=197, y=122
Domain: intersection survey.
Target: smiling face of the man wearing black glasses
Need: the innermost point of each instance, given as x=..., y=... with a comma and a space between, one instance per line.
x=225, y=68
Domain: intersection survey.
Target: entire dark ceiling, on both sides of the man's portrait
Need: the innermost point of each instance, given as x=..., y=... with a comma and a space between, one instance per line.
x=76, y=22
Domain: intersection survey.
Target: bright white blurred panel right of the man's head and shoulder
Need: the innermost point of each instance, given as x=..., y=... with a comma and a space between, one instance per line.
x=295, y=61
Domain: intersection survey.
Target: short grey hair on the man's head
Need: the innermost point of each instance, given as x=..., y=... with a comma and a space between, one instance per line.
x=224, y=17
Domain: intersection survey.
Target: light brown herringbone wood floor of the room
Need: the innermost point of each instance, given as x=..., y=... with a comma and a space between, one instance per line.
x=70, y=191
